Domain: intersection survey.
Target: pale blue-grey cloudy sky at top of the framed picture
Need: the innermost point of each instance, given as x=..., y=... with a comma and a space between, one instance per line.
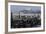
x=15, y=8
